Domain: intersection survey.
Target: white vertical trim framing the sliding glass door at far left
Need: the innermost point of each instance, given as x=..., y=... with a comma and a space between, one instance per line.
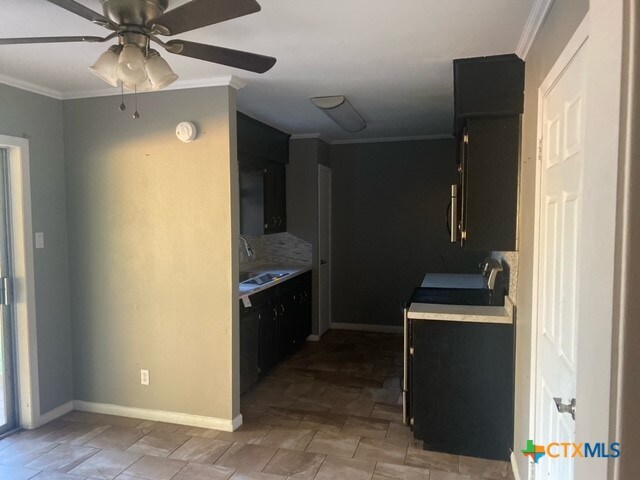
x=24, y=307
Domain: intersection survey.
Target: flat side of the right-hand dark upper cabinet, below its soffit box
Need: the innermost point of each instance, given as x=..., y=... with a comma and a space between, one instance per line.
x=490, y=183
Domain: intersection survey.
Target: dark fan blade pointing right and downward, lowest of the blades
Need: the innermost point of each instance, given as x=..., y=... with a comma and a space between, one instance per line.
x=225, y=56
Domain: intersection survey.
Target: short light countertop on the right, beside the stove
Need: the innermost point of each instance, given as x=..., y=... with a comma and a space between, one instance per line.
x=463, y=313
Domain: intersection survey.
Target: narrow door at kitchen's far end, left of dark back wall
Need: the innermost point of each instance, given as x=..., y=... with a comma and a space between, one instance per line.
x=324, y=248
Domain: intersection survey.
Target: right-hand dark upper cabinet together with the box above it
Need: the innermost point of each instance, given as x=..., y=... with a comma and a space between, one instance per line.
x=489, y=98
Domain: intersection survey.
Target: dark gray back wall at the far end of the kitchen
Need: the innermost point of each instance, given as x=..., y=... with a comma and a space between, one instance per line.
x=389, y=207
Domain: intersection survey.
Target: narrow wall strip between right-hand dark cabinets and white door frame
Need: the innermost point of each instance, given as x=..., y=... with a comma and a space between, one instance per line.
x=560, y=24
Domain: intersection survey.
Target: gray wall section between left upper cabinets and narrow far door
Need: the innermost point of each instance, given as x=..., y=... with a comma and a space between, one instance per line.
x=302, y=201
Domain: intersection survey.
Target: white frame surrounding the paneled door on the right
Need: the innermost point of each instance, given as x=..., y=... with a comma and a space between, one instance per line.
x=602, y=26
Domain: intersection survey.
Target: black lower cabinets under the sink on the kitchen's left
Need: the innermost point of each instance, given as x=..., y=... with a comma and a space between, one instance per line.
x=275, y=326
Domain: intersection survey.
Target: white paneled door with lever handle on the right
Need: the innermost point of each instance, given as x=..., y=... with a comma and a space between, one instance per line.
x=560, y=200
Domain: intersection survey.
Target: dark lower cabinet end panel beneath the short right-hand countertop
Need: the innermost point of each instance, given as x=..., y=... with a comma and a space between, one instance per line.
x=462, y=387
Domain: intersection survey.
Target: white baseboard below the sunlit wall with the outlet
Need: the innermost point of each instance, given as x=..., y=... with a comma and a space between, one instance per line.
x=160, y=415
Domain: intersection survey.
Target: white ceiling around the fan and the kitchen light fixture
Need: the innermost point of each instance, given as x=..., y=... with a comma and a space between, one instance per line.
x=391, y=58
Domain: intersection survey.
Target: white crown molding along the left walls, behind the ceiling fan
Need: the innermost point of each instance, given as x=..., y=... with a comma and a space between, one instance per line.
x=226, y=81
